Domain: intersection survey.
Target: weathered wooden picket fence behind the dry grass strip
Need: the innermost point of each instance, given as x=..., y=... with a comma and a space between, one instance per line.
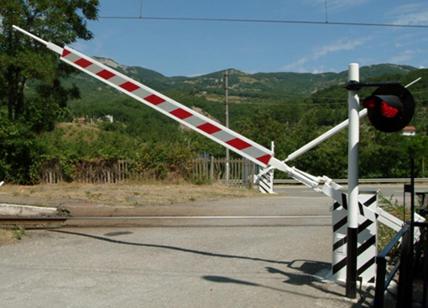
x=202, y=170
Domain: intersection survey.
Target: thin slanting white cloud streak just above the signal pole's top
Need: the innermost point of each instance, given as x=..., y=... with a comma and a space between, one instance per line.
x=337, y=46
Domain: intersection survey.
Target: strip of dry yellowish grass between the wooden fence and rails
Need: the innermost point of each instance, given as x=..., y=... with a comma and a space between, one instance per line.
x=117, y=194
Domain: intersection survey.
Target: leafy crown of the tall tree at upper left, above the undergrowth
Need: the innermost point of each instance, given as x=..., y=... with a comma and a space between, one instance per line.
x=24, y=61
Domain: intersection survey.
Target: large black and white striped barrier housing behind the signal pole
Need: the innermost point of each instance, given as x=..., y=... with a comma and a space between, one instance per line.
x=366, y=247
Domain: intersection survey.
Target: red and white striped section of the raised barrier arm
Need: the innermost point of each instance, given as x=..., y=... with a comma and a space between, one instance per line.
x=182, y=114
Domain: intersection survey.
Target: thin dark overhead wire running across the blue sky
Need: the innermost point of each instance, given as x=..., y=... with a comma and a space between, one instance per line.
x=271, y=21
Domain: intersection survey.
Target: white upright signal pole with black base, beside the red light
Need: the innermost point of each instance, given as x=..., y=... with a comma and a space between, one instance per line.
x=353, y=141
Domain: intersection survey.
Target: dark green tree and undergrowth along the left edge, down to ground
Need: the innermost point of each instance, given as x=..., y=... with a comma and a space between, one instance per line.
x=32, y=97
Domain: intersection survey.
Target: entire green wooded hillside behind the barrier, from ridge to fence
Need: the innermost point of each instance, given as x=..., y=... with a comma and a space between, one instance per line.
x=288, y=108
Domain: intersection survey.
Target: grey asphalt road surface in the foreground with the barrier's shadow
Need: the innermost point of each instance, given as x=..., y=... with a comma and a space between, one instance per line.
x=274, y=254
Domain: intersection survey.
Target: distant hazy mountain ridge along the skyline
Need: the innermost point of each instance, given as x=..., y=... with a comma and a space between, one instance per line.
x=280, y=87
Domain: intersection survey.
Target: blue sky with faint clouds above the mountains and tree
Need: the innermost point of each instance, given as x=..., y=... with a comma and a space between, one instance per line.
x=193, y=48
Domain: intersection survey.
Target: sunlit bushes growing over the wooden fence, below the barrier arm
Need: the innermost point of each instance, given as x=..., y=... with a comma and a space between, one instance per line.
x=70, y=145
